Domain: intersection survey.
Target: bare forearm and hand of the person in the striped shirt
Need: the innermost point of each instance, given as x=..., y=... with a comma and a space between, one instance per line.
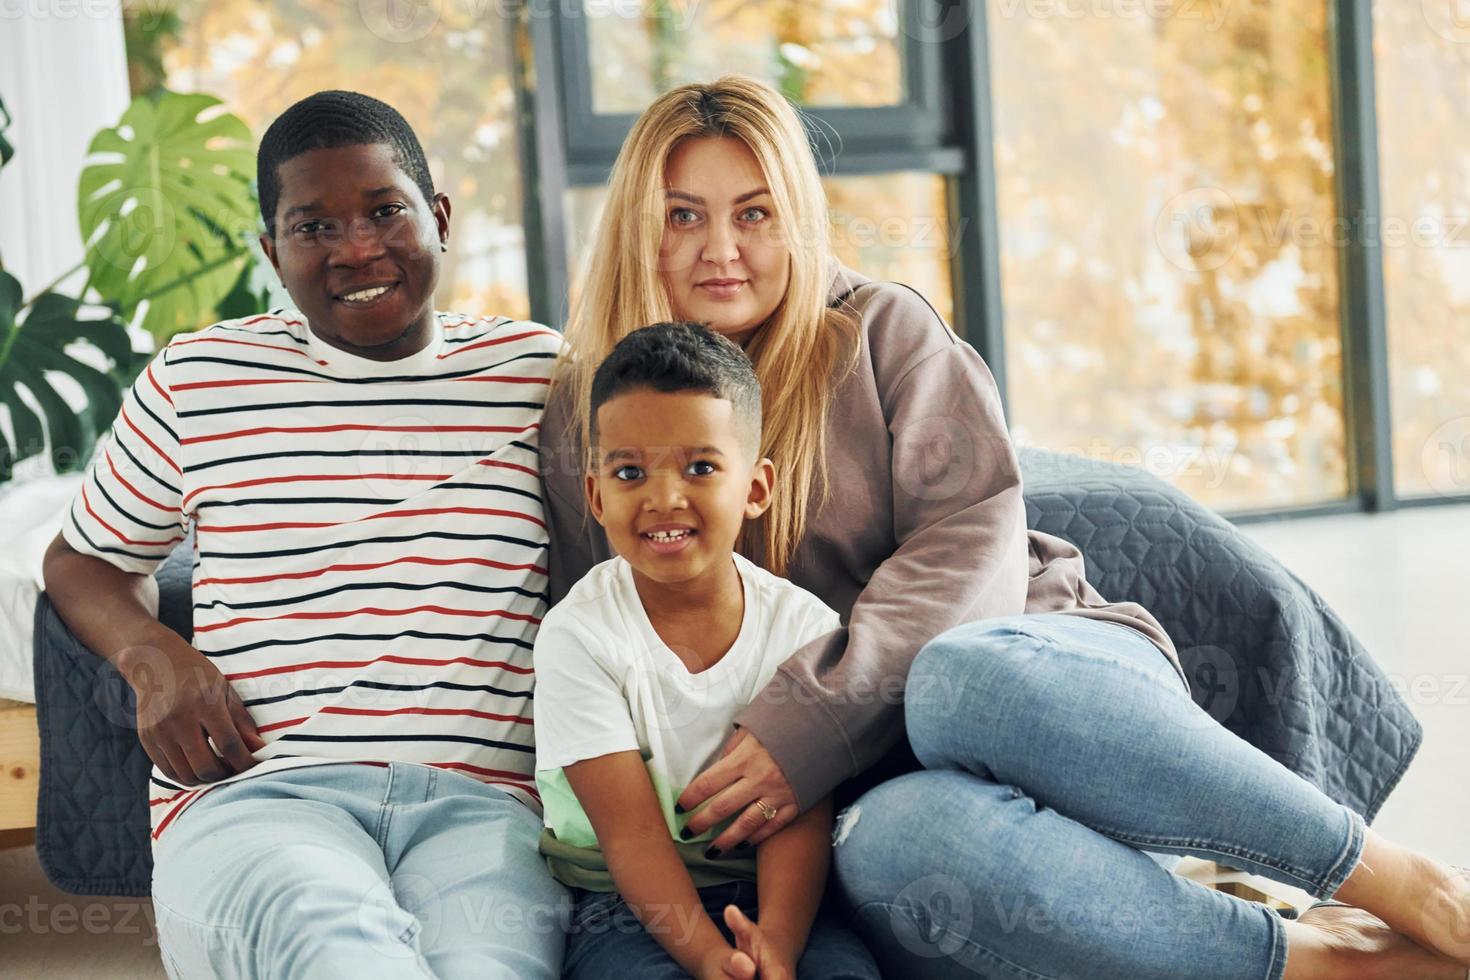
x=182, y=696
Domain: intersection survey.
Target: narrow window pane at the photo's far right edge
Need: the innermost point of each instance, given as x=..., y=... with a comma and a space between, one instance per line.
x=1424, y=89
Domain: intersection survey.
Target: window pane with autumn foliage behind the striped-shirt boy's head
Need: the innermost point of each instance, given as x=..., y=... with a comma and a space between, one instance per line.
x=449, y=76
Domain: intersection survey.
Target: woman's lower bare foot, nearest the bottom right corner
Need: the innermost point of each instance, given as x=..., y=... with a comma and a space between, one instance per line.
x=1349, y=944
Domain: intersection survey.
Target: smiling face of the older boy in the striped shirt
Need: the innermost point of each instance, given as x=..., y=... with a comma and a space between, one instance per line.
x=359, y=249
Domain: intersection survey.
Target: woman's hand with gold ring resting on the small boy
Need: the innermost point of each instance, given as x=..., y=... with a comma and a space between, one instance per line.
x=746, y=774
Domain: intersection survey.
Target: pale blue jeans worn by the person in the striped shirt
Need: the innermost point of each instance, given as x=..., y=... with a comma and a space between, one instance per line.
x=358, y=872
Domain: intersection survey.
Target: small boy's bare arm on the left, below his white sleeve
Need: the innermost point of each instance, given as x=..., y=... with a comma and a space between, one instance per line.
x=624, y=810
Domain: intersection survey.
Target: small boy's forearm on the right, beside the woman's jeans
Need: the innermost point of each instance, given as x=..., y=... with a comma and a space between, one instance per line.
x=792, y=869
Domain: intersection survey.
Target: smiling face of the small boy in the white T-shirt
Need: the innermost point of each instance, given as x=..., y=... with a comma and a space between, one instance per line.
x=674, y=484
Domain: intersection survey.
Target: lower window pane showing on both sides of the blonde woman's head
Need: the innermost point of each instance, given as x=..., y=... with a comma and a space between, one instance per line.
x=889, y=227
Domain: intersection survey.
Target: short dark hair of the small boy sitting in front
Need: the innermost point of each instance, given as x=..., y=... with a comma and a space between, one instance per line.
x=683, y=356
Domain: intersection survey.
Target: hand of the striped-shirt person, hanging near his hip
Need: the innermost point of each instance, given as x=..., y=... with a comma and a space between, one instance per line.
x=184, y=705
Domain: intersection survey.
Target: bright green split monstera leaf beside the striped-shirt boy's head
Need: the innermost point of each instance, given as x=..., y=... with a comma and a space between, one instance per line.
x=167, y=209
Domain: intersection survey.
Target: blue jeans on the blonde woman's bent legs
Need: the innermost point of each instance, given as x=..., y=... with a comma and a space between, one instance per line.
x=1058, y=752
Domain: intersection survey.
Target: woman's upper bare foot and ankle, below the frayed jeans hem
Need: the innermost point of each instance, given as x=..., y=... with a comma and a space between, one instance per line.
x=1416, y=896
